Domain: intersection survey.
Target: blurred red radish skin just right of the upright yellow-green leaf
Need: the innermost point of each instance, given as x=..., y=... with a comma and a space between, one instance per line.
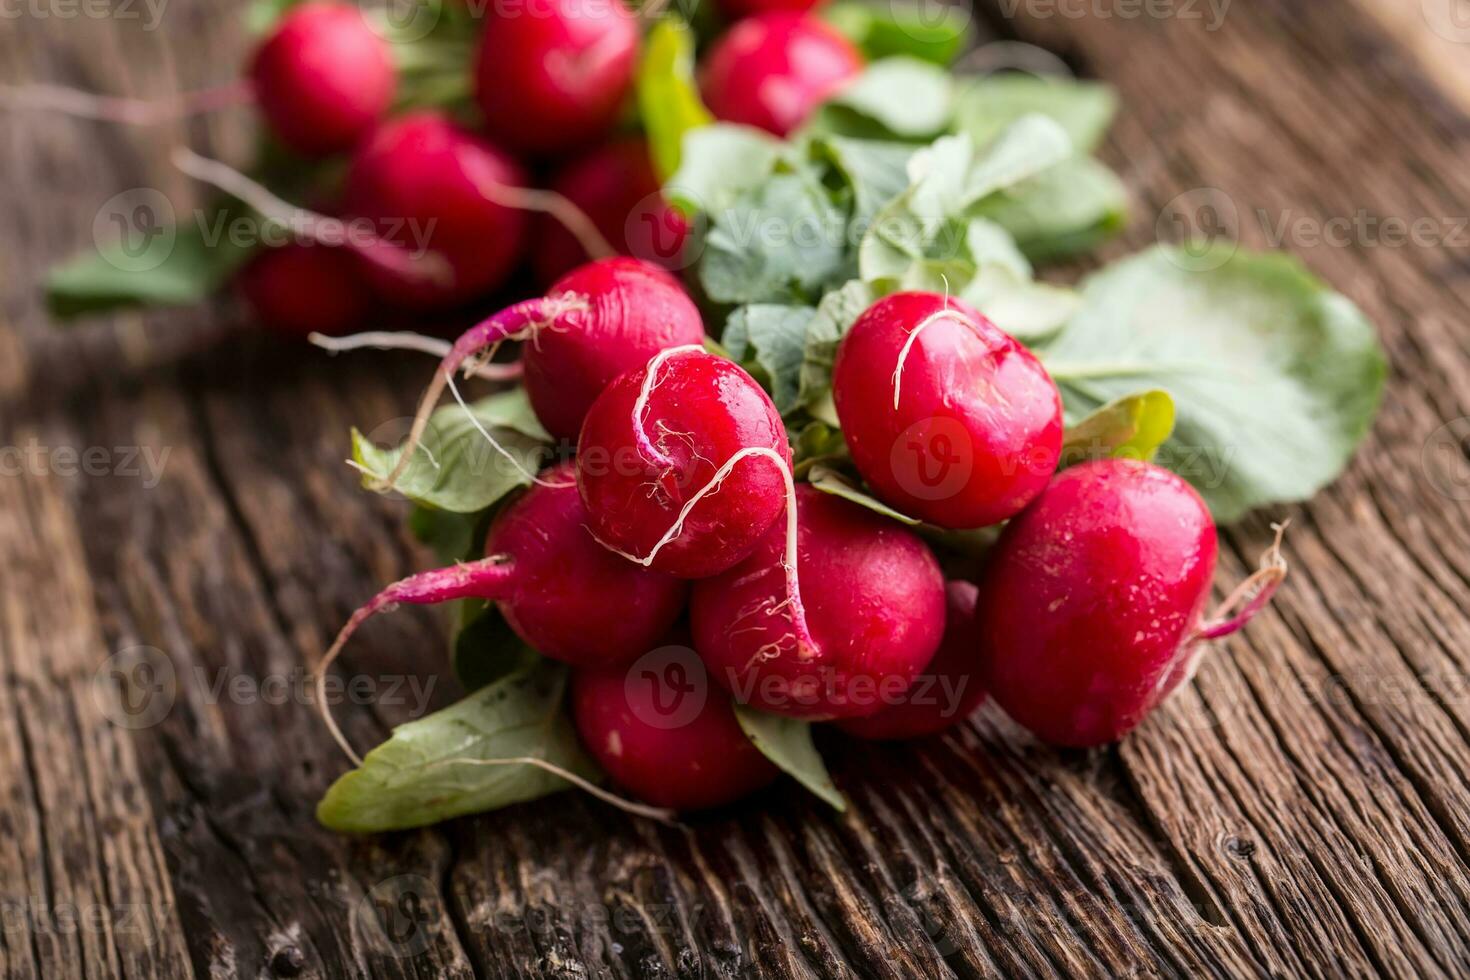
x=774, y=70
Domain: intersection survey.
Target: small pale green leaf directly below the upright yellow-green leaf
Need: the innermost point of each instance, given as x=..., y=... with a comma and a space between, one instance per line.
x=720, y=164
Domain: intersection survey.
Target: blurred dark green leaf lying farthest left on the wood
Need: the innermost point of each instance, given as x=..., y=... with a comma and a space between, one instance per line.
x=164, y=267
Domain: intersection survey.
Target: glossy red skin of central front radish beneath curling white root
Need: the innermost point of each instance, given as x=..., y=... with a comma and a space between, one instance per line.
x=717, y=409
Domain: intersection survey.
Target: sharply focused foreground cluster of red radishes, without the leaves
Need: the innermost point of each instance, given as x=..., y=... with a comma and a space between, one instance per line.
x=678, y=521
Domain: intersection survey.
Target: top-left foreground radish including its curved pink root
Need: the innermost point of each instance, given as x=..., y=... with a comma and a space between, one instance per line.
x=596, y=323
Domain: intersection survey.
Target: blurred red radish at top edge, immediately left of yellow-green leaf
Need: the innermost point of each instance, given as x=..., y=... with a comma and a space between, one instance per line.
x=552, y=76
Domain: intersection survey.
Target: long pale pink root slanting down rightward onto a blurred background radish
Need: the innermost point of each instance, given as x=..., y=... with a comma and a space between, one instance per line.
x=320, y=228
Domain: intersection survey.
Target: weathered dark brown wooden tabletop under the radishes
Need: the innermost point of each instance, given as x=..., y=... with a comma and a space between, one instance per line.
x=1302, y=810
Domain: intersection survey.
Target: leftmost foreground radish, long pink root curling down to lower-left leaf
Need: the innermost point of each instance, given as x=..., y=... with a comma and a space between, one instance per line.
x=561, y=591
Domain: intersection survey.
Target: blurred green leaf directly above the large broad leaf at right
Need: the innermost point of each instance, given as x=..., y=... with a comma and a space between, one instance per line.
x=1062, y=212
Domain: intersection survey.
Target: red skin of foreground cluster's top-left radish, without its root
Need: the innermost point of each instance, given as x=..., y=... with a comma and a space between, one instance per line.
x=637, y=312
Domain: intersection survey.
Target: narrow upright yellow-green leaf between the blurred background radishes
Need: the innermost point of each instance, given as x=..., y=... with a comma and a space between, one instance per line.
x=668, y=96
